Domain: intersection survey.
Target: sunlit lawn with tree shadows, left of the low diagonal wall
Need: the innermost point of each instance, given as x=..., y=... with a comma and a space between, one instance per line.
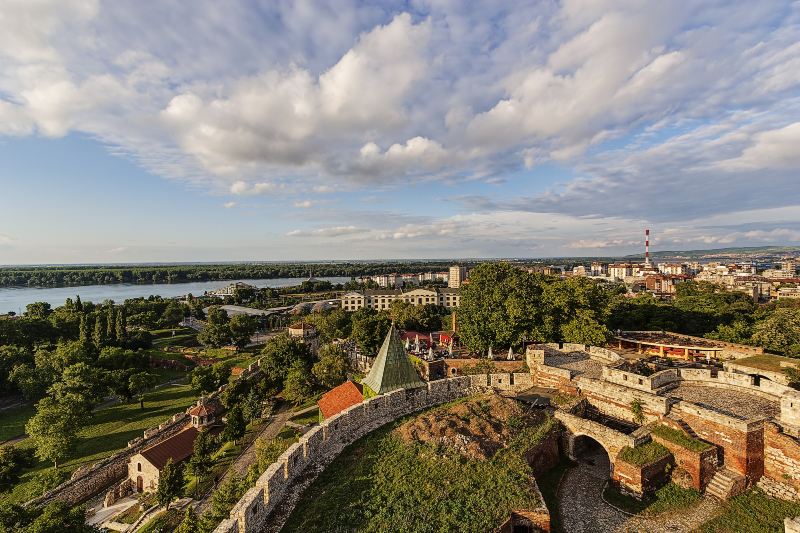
x=109, y=431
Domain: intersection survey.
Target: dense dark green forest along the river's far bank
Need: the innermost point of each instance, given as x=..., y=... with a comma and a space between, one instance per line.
x=57, y=276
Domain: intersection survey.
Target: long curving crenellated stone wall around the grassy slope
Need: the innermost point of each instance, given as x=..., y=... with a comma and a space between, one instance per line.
x=317, y=448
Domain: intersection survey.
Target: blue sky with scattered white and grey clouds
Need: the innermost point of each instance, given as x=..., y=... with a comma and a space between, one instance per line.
x=296, y=130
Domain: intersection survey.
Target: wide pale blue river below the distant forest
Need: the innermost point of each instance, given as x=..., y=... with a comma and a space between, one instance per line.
x=16, y=298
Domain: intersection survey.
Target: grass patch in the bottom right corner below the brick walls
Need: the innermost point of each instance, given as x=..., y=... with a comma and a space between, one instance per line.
x=752, y=512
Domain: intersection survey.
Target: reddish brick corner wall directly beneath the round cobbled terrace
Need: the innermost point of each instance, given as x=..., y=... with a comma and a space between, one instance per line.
x=742, y=442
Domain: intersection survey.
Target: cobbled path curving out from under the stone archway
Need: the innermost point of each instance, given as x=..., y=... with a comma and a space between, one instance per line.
x=583, y=510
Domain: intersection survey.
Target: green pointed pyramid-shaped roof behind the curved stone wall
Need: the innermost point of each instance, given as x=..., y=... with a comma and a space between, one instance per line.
x=392, y=368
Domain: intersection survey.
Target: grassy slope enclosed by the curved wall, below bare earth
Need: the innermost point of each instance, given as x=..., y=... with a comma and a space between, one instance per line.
x=379, y=483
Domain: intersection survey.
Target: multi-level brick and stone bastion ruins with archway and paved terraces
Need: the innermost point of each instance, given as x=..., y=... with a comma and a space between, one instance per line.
x=750, y=425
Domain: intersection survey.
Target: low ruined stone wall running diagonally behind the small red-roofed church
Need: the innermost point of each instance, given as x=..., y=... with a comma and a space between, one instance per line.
x=86, y=483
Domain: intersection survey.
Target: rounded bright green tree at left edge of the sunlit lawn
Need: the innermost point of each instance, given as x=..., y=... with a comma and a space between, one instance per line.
x=54, y=429
